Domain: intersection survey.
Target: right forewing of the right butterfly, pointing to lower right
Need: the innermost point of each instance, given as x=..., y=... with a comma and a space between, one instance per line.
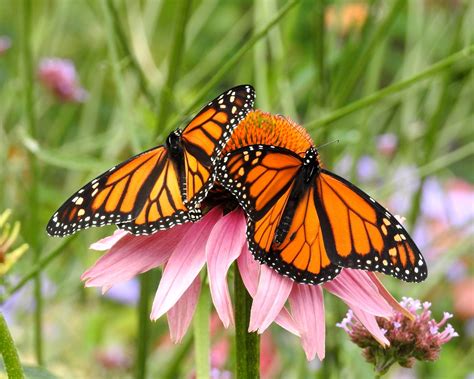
x=360, y=233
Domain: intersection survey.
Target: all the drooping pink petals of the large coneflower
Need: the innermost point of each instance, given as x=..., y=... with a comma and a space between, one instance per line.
x=218, y=241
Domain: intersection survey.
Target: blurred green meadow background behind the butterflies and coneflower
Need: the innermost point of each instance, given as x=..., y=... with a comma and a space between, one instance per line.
x=148, y=65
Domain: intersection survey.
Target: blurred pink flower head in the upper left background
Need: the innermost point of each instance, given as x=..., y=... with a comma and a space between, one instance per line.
x=60, y=77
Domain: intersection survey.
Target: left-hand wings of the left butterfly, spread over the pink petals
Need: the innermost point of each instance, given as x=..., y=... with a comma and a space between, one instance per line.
x=140, y=195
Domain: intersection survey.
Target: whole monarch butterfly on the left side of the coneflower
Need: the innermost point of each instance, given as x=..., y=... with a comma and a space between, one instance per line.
x=163, y=186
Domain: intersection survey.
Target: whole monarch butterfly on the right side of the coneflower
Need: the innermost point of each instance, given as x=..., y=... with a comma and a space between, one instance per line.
x=307, y=223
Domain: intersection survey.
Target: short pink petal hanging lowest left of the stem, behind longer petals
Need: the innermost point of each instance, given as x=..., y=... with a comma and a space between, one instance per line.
x=181, y=314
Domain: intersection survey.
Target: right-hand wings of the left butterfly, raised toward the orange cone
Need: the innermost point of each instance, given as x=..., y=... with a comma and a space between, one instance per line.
x=205, y=137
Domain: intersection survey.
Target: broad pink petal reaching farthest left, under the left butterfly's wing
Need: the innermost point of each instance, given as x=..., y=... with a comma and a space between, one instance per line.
x=131, y=255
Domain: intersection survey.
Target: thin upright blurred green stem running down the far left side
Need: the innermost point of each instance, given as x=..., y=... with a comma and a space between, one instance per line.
x=28, y=80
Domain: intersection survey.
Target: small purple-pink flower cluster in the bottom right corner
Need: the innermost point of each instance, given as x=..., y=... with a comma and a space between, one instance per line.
x=418, y=337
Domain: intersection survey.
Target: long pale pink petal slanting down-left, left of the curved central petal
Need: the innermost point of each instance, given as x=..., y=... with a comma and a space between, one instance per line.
x=185, y=263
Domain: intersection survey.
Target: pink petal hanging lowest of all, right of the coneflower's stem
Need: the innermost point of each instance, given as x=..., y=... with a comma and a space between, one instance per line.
x=307, y=308
